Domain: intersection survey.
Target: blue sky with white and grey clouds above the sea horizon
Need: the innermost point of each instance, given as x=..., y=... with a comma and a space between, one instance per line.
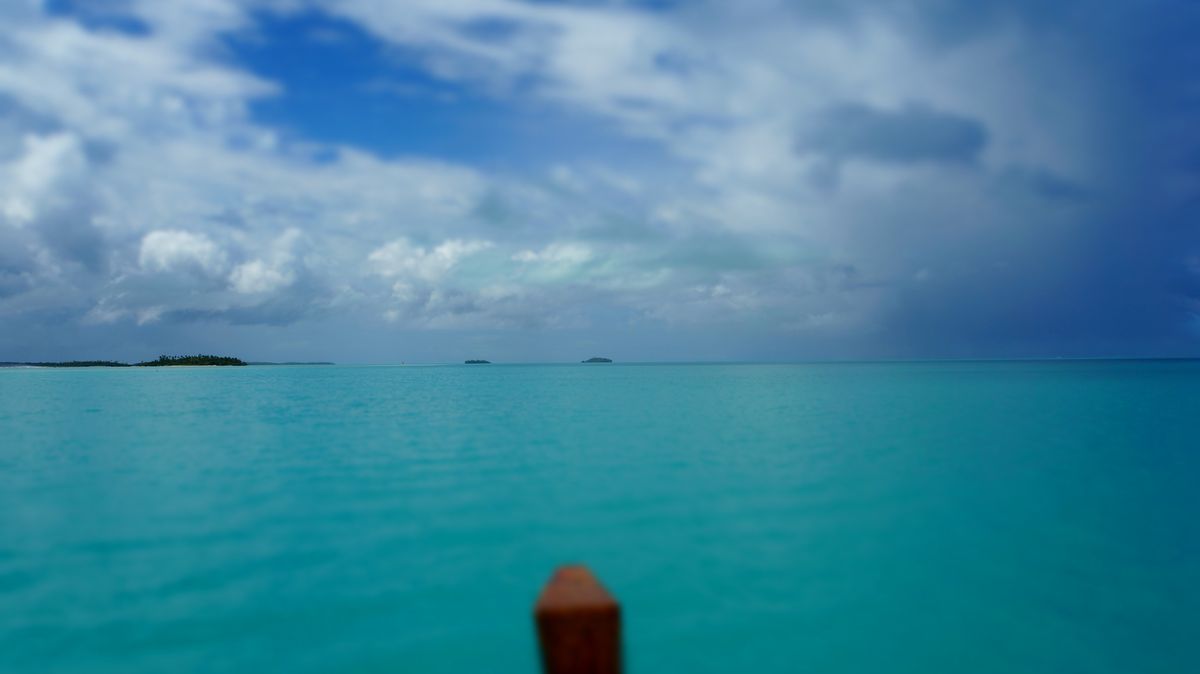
x=519, y=180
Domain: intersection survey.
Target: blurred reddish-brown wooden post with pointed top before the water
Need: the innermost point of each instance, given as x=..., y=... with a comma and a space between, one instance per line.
x=579, y=625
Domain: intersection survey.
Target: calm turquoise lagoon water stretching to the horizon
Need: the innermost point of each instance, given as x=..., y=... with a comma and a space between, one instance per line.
x=859, y=519
